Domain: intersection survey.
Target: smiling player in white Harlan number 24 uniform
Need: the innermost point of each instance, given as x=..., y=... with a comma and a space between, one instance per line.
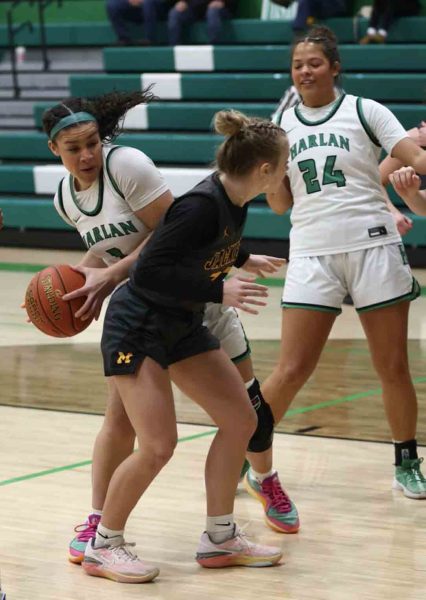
x=344, y=240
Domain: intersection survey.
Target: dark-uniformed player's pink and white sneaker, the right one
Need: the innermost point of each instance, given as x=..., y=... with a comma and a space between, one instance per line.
x=237, y=551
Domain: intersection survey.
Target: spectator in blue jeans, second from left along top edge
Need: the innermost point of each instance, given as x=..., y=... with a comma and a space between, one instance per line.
x=186, y=12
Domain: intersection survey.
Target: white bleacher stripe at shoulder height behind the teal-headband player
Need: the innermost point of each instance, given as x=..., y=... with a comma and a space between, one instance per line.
x=180, y=180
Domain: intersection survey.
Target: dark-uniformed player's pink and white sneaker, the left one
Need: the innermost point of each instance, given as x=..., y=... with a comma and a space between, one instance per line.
x=118, y=563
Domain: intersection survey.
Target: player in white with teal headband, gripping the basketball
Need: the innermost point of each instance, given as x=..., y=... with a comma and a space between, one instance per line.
x=115, y=196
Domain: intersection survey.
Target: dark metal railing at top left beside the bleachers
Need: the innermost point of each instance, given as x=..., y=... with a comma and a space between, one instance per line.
x=13, y=30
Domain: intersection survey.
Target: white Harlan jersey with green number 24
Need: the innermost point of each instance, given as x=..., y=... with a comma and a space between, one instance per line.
x=339, y=204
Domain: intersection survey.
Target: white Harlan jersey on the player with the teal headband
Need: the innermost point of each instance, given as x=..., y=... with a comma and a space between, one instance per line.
x=104, y=213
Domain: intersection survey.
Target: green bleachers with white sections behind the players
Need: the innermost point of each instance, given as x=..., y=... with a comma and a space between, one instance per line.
x=248, y=72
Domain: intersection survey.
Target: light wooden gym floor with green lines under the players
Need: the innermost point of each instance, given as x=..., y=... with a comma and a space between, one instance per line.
x=359, y=539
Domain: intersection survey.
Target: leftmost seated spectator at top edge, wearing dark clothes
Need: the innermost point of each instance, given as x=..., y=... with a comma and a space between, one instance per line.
x=147, y=12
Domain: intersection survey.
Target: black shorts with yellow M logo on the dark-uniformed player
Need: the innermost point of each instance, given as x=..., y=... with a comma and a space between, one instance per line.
x=134, y=329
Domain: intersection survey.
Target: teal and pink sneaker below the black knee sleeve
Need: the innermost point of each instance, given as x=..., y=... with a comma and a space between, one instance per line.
x=280, y=512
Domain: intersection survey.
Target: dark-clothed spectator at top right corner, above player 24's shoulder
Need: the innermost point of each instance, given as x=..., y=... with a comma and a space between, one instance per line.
x=384, y=14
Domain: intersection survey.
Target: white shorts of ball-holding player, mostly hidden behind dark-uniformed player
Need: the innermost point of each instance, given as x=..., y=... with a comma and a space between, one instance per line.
x=224, y=323
